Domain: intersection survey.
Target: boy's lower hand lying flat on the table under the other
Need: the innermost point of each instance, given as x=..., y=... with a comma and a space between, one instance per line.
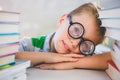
x=57, y=66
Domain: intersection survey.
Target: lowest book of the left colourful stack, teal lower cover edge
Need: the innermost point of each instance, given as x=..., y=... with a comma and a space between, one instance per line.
x=5, y=60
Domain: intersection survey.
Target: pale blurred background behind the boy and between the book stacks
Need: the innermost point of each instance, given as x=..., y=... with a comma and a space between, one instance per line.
x=40, y=16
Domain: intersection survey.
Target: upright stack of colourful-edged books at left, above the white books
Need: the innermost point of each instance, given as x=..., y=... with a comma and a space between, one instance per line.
x=9, y=37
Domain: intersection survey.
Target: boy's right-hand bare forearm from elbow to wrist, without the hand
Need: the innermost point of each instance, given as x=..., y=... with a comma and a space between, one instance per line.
x=98, y=61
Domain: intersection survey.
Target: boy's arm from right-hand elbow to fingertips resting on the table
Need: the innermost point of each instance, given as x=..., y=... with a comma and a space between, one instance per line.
x=98, y=61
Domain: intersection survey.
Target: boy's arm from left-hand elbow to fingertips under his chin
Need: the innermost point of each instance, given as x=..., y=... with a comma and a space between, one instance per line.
x=46, y=57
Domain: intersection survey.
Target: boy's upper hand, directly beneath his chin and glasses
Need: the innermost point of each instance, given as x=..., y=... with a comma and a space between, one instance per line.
x=55, y=58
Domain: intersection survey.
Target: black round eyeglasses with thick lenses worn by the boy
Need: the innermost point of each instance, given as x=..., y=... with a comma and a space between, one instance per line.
x=76, y=31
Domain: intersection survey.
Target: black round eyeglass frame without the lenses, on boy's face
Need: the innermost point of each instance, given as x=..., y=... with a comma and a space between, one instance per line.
x=81, y=37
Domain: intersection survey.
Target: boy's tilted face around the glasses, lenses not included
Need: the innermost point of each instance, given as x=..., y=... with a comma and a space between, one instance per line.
x=64, y=43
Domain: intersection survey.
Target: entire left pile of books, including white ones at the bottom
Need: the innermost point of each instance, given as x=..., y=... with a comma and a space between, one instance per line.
x=10, y=69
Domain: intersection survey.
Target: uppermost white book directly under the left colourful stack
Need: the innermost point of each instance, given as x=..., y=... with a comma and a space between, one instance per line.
x=15, y=69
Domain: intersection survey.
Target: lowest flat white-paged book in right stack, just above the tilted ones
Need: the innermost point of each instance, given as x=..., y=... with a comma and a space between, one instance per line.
x=113, y=33
